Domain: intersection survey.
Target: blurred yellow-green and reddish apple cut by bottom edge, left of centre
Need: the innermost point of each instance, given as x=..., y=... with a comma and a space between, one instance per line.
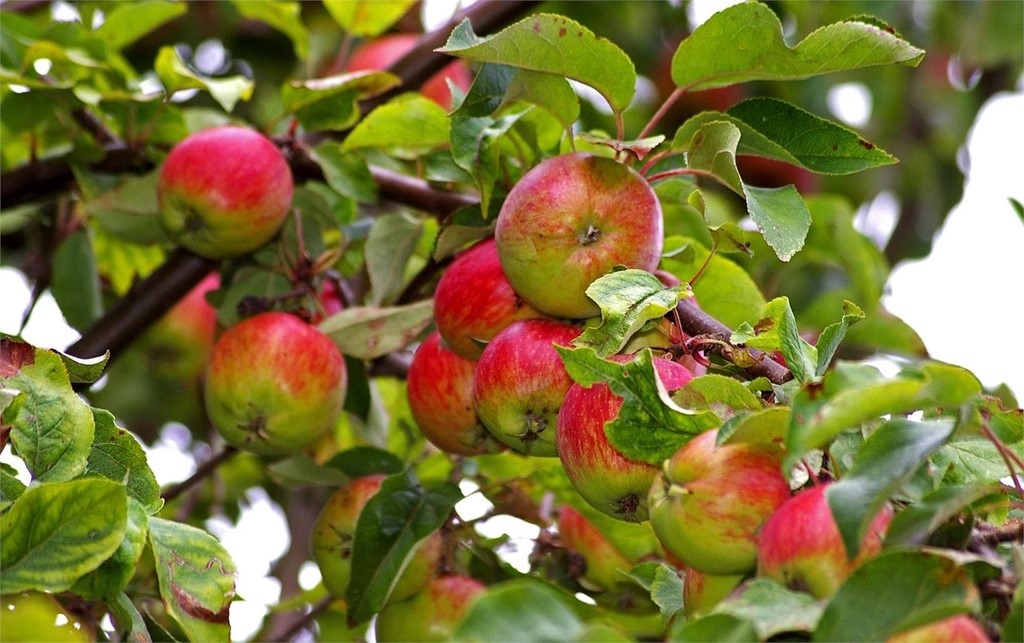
x=433, y=615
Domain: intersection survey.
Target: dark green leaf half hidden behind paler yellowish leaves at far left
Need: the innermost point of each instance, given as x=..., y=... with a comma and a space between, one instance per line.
x=118, y=456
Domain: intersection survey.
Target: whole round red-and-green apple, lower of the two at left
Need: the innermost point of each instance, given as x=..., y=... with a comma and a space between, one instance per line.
x=275, y=384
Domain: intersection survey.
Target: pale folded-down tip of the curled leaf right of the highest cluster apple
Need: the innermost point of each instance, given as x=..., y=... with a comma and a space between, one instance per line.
x=782, y=217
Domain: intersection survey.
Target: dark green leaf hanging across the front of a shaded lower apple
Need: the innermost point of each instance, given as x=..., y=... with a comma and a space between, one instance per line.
x=400, y=517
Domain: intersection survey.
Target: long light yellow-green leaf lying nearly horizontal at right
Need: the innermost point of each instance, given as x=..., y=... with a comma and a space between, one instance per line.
x=820, y=414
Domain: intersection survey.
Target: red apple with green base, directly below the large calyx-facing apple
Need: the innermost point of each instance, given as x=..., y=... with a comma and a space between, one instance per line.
x=521, y=383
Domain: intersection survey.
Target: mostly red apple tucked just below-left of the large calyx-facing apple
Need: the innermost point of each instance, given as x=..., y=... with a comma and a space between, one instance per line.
x=475, y=302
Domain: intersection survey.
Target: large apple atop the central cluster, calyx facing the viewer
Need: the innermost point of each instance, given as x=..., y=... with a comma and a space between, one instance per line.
x=571, y=221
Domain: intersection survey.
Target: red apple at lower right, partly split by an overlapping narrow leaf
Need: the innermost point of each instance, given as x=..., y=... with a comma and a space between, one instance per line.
x=801, y=546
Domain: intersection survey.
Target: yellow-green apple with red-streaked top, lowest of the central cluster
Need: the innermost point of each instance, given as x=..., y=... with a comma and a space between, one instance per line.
x=710, y=502
